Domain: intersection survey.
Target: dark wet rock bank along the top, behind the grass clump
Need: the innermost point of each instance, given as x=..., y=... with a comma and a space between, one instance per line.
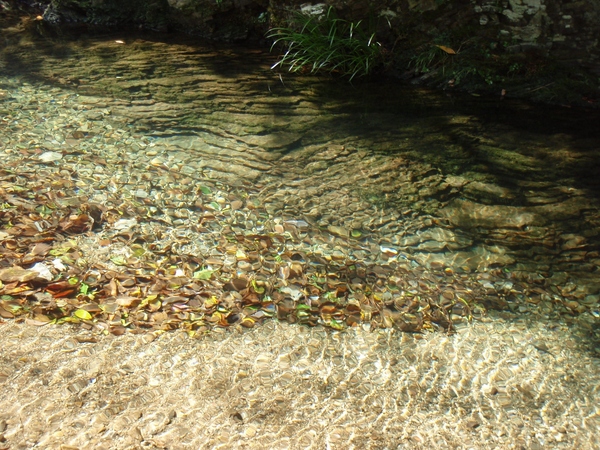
x=565, y=30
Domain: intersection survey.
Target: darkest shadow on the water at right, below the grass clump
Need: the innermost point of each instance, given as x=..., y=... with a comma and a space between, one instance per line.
x=558, y=143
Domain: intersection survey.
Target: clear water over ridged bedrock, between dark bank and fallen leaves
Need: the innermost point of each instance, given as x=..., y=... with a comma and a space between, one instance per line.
x=504, y=192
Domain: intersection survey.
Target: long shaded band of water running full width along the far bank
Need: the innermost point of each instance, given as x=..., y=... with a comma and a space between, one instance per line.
x=513, y=143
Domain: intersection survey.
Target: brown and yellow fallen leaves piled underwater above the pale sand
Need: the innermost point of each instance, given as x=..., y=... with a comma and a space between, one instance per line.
x=157, y=250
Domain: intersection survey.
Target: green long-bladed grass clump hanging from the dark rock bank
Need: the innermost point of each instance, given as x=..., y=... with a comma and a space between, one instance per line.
x=326, y=44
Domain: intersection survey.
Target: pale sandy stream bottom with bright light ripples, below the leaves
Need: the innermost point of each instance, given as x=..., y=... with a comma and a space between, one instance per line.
x=493, y=384
